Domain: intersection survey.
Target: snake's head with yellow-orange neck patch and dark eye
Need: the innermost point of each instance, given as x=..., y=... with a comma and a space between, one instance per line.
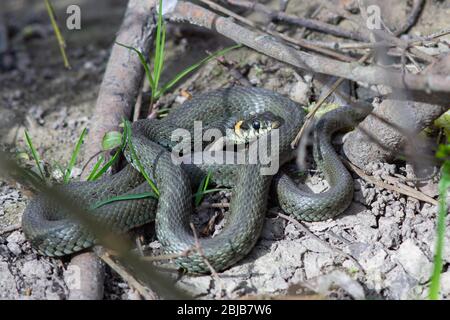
x=254, y=126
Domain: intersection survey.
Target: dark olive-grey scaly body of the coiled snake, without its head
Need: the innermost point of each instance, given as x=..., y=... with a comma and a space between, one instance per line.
x=53, y=233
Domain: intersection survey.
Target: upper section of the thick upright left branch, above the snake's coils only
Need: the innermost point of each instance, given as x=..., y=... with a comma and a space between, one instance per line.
x=124, y=73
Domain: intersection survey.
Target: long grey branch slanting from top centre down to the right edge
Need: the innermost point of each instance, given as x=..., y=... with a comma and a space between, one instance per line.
x=188, y=12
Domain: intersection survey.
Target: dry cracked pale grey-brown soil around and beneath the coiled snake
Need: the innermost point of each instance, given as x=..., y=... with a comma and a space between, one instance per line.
x=380, y=248
